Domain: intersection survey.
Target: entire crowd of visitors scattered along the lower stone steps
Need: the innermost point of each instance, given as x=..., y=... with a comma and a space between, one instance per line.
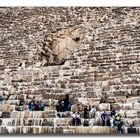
x=114, y=119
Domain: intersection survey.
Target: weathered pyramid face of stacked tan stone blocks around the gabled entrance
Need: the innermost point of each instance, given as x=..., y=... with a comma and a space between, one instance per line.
x=48, y=52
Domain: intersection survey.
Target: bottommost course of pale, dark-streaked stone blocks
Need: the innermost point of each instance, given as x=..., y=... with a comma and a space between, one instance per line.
x=60, y=130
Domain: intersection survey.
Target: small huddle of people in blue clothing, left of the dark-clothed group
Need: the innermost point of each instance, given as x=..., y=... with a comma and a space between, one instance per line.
x=36, y=105
